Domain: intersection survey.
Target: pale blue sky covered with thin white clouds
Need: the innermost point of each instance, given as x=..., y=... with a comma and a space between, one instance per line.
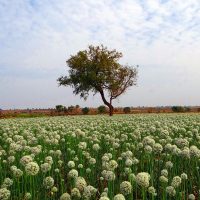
x=38, y=36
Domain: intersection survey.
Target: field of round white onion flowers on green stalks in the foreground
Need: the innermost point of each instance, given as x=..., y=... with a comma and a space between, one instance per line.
x=124, y=157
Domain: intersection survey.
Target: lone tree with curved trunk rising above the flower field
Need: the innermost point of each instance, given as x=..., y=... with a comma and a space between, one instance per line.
x=97, y=70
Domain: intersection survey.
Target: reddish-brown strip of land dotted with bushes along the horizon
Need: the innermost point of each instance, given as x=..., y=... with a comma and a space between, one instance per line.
x=77, y=110
